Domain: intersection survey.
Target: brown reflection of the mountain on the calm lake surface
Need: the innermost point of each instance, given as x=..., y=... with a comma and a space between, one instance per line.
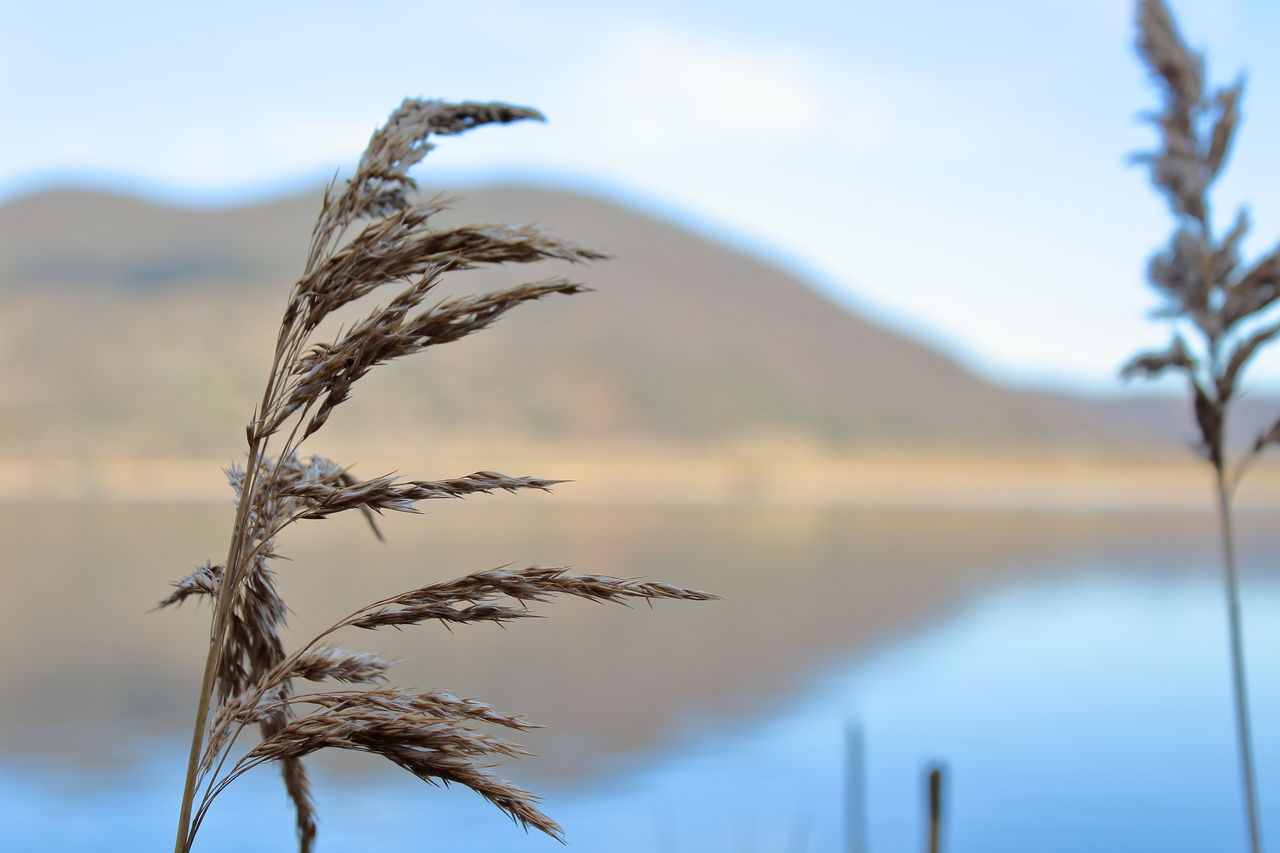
x=802, y=589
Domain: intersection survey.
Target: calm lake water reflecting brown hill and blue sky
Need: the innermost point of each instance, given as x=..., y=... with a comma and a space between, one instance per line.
x=1069, y=670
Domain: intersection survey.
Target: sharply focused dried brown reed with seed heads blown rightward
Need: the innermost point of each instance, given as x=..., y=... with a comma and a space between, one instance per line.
x=250, y=678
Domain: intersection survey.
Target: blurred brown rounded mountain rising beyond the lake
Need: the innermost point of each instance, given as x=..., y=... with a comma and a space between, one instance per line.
x=140, y=329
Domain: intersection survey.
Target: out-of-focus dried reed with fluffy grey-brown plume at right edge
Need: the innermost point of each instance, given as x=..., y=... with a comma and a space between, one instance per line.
x=1220, y=307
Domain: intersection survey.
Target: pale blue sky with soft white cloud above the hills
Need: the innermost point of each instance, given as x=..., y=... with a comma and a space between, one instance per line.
x=954, y=168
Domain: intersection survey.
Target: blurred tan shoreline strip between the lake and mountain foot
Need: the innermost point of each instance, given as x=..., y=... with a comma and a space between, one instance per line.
x=883, y=481
